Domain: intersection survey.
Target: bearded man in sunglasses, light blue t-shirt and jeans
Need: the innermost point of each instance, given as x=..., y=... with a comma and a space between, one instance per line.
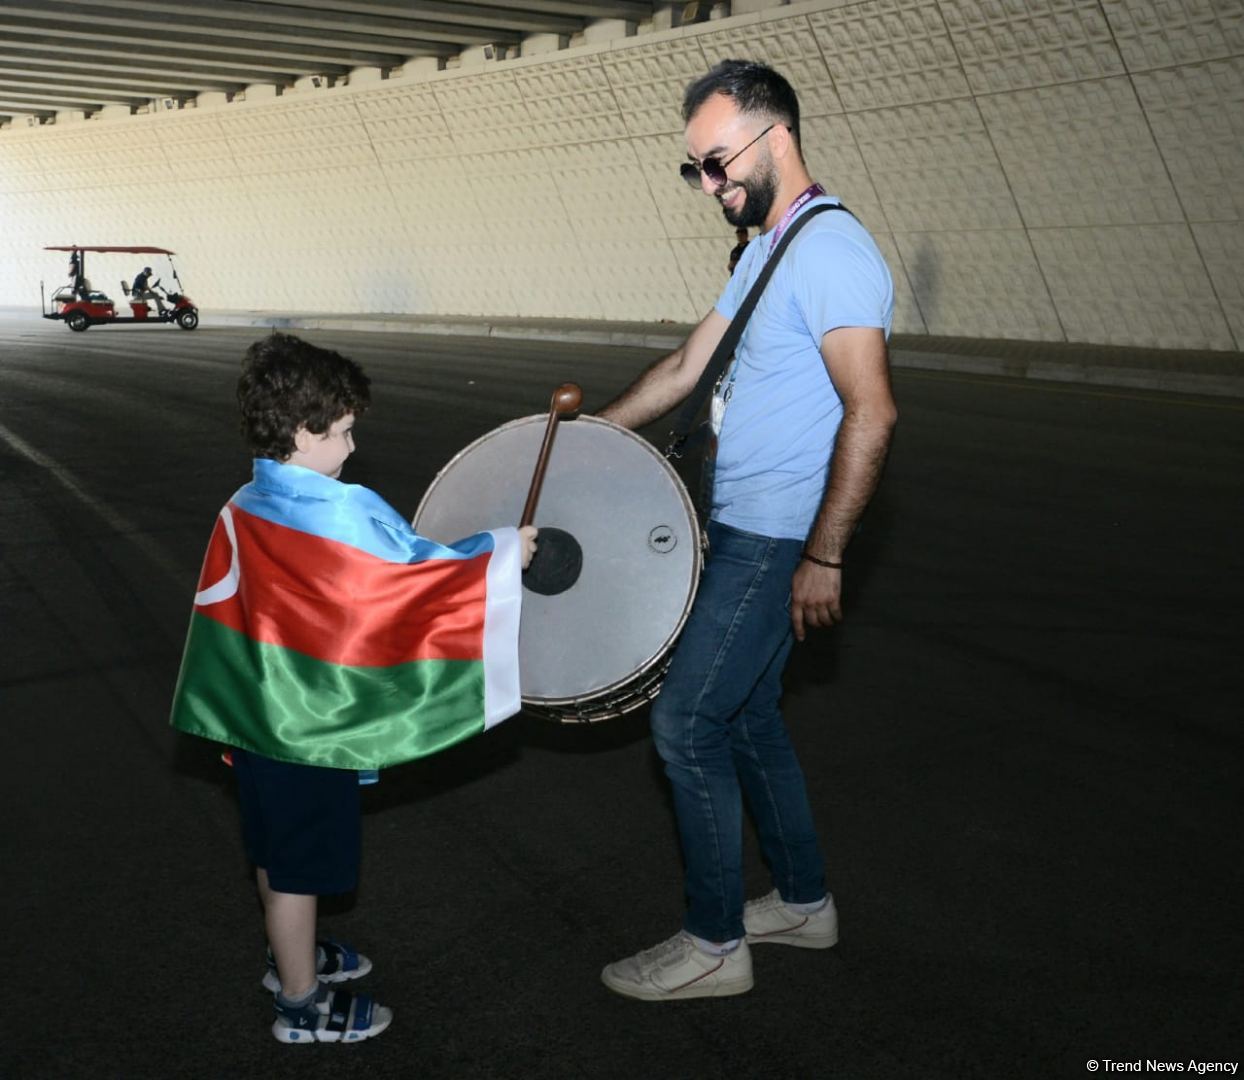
x=804, y=417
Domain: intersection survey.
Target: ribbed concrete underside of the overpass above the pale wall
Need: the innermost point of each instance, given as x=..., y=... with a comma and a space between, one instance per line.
x=84, y=57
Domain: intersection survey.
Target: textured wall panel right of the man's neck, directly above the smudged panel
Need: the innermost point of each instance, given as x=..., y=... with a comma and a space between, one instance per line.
x=935, y=167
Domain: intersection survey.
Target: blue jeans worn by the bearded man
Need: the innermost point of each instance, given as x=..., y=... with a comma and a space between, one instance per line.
x=720, y=731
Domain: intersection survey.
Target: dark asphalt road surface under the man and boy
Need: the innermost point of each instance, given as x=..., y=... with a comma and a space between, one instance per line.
x=1023, y=747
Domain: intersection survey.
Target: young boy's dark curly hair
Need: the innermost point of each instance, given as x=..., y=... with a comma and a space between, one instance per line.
x=288, y=384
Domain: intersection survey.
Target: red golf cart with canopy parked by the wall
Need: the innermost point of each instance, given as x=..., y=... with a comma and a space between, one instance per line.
x=81, y=307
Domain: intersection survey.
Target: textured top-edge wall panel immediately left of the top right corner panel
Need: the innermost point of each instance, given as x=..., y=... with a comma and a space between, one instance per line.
x=1013, y=45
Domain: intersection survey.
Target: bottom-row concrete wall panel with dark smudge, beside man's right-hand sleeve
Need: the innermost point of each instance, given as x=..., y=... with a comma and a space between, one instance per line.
x=983, y=284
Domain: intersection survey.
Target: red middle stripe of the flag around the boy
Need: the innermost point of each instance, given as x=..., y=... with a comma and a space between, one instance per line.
x=340, y=605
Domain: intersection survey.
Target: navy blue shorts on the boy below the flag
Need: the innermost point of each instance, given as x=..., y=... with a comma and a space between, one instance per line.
x=300, y=823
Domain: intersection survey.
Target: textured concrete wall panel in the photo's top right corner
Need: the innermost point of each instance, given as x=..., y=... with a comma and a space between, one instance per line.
x=1166, y=33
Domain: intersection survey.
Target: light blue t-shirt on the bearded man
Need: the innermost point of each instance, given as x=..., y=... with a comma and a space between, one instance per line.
x=782, y=410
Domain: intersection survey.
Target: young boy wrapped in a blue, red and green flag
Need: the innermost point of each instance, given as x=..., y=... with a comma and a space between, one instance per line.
x=329, y=639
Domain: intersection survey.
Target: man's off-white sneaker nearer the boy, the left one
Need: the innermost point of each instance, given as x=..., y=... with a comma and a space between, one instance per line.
x=677, y=970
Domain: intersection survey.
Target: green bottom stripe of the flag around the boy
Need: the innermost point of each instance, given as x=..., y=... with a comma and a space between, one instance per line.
x=294, y=709
